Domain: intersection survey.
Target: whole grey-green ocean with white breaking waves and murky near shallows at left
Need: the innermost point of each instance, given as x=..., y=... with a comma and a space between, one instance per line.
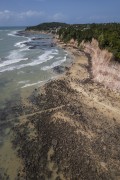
x=26, y=61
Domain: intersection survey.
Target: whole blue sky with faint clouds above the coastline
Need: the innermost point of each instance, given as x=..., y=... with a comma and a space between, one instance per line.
x=33, y=12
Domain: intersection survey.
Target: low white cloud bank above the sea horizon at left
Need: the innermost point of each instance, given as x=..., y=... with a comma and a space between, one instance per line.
x=28, y=17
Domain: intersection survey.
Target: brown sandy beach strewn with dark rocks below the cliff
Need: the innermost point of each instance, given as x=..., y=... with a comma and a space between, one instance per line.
x=70, y=127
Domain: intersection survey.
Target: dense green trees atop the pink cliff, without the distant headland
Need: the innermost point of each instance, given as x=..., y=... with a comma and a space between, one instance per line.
x=108, y=35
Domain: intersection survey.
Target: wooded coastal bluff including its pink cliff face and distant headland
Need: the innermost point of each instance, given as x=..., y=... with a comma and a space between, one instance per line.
x=100, y=41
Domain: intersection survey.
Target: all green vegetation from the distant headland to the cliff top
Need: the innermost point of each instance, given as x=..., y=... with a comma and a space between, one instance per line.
x=108, y=35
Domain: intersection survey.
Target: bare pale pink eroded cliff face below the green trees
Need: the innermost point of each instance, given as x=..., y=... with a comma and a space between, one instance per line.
x=104, y=69
